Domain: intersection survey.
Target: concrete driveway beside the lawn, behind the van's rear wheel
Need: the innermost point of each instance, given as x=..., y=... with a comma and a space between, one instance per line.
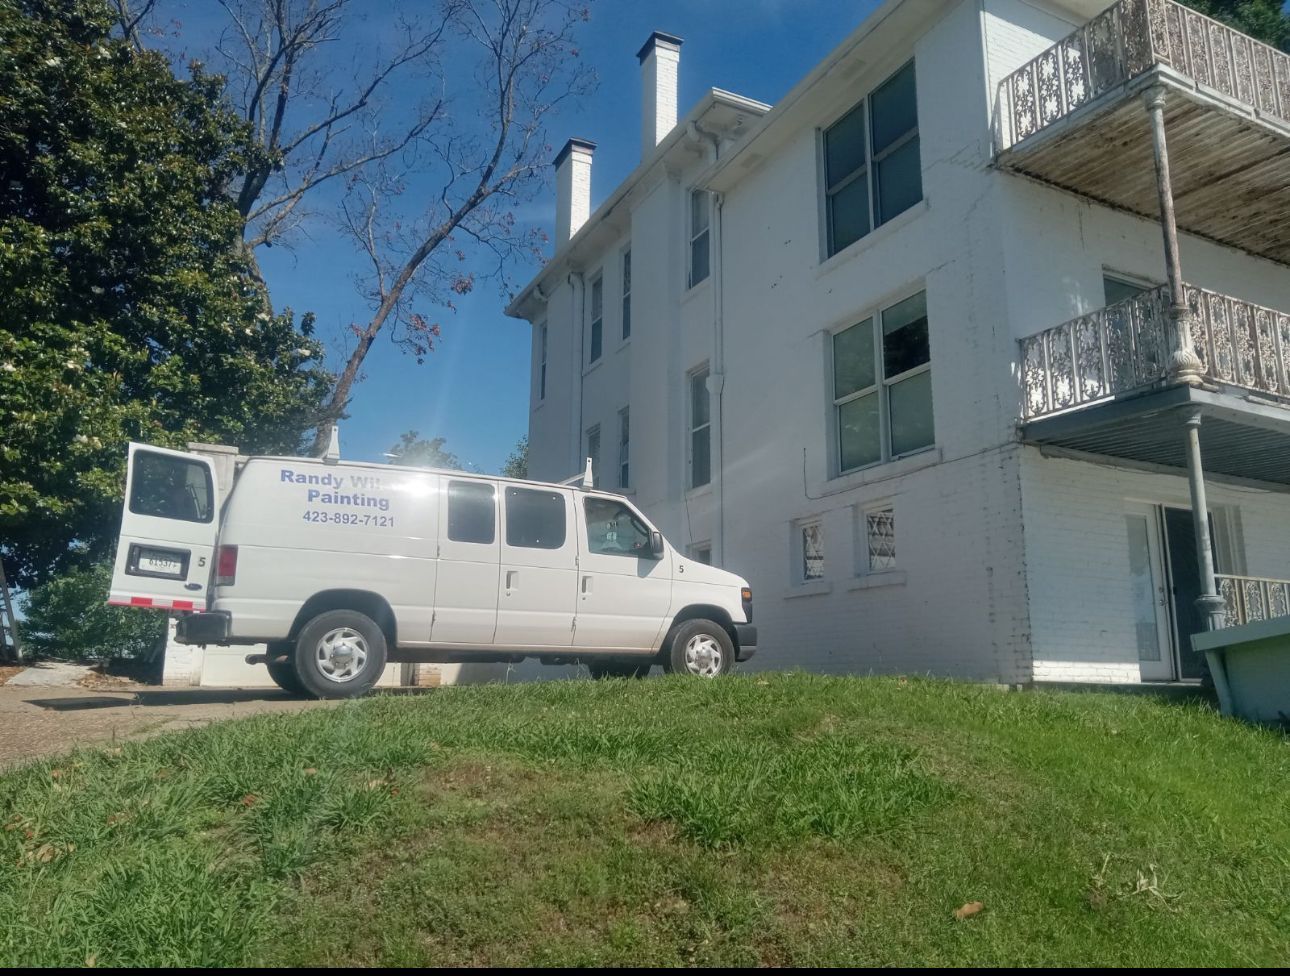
x=39, y=721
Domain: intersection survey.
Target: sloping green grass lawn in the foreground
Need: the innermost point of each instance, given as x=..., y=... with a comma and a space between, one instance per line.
x=762, y=819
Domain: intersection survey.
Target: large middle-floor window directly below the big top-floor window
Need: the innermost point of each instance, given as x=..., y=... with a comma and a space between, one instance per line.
x=883, y=386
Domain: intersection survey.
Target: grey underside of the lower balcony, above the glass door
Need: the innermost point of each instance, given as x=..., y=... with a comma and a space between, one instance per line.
x=1239, y=439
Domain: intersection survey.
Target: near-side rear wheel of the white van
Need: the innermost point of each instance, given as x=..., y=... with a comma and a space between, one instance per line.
x=340, y=654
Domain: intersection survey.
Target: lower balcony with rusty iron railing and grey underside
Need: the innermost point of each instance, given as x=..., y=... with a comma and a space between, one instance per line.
x=1101, y=385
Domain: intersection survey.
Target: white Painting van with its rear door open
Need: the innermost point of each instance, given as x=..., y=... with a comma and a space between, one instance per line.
x=341, y=568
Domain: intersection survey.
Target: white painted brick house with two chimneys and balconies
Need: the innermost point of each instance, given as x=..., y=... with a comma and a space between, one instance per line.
x=901, y=349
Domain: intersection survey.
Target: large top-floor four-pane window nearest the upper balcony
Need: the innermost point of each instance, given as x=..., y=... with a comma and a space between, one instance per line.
x=873, y=168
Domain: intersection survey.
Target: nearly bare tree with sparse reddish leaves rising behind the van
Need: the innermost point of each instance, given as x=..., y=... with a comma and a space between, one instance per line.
x=473, y=149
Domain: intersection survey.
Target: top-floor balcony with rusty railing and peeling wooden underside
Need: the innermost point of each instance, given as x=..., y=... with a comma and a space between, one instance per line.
x=1075, y=118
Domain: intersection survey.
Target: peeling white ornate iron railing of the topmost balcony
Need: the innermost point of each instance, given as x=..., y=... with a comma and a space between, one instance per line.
x=1127, y=41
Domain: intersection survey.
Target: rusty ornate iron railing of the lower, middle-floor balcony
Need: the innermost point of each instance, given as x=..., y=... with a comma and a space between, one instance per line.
x=1126, y=347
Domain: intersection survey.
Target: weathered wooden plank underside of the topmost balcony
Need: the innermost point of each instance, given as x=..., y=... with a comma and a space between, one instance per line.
x=1231, y=172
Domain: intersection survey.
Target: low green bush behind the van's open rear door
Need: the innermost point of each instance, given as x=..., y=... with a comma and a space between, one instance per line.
x=68, y=618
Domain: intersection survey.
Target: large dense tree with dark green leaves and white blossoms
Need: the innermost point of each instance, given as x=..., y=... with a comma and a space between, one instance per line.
x=130, y=309
